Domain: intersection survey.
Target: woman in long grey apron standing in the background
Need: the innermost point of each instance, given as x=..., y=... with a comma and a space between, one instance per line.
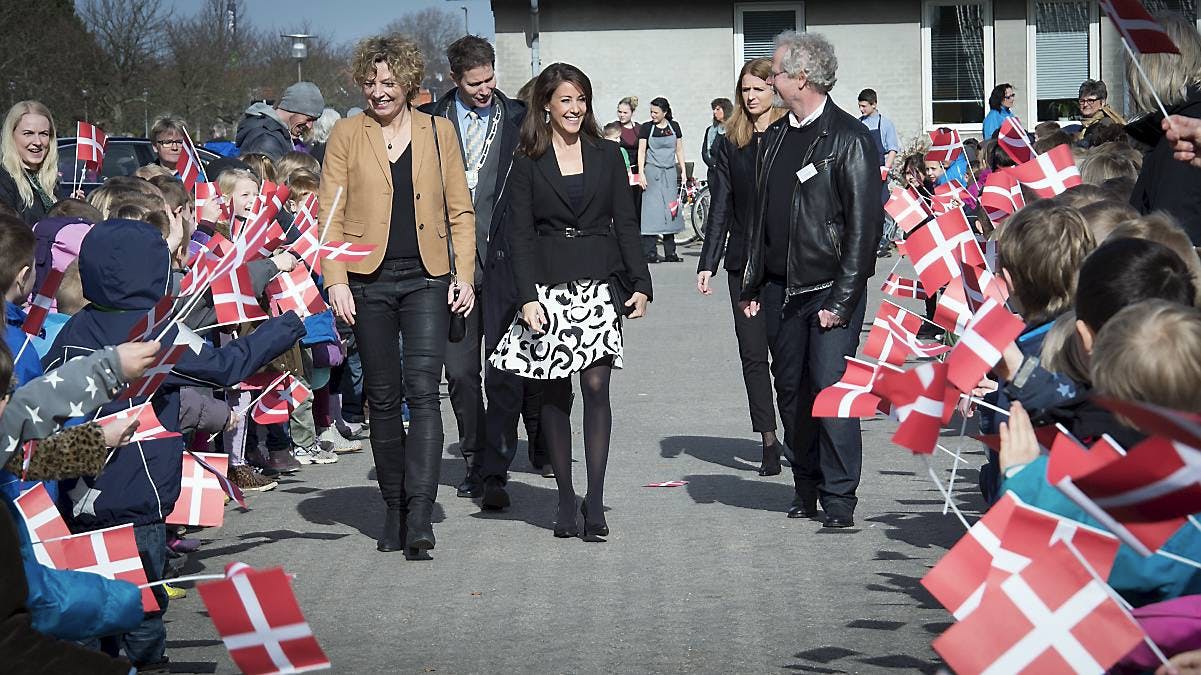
x=660, y=163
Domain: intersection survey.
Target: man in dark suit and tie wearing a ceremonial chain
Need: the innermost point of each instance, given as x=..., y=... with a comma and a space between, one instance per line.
x=488, y=124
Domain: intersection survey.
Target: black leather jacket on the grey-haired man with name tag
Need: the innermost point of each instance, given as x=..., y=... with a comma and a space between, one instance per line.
x=838, y=217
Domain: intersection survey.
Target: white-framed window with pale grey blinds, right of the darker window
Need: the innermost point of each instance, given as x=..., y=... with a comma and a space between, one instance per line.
x=1063, y=58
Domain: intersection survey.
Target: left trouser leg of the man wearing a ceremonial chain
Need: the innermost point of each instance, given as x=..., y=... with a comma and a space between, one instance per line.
x=465, y=383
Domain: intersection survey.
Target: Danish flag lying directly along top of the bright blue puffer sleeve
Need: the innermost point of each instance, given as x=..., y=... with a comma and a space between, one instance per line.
x=111, y=553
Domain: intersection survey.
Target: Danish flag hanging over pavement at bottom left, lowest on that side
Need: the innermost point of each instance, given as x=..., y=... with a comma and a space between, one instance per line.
x=258, y=617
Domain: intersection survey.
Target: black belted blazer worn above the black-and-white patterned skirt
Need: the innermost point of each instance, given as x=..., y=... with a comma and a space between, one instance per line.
x=553, y=243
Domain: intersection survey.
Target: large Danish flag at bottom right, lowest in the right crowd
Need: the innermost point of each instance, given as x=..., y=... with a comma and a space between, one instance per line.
x=1053, y=617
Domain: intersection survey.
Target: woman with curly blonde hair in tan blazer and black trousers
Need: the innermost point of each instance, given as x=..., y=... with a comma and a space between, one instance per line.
x=386, y=160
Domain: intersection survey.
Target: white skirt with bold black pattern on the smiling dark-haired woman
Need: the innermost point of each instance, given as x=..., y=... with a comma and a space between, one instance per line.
x=583, y=327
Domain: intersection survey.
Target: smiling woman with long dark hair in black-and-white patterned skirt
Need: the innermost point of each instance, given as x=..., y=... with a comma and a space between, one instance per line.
x=578, y=270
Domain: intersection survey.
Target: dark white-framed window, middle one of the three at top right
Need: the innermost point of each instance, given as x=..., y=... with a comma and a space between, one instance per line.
x=958, y=44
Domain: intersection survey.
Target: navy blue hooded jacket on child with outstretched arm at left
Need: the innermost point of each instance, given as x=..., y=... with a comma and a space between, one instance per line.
x=126, y=270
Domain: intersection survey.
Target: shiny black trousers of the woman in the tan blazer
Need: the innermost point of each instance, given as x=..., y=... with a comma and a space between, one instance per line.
x=401, y=301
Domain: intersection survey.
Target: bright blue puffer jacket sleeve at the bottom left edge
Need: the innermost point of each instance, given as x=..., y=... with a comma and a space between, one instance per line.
x=75, y=606
